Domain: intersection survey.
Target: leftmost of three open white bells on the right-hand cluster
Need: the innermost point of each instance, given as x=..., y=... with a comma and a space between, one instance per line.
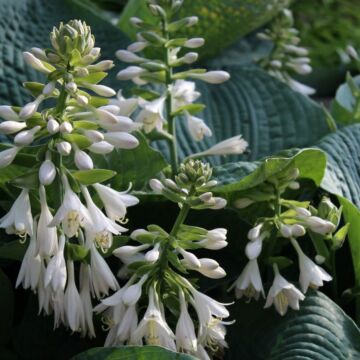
x=249, y=282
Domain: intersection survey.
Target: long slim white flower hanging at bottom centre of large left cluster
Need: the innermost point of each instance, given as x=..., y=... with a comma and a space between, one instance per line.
x=72, y=302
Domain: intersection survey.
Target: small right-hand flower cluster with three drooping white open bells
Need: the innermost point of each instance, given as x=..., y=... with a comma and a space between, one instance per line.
x=292, y=220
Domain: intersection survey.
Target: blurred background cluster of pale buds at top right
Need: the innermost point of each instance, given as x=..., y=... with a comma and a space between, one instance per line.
x=286, y=56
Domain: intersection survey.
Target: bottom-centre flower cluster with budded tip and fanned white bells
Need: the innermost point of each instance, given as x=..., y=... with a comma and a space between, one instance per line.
x=156, y=269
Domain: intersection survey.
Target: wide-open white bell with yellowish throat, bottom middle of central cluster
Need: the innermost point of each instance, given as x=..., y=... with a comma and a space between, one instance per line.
x=153, y=327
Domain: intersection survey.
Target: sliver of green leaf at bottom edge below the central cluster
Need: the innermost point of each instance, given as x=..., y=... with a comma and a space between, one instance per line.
x=132, y=353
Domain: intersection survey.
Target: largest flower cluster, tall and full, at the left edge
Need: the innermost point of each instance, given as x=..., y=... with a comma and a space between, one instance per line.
x=64, y=136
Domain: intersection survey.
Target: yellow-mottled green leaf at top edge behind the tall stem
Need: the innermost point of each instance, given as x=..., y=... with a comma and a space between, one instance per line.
x=221, y=22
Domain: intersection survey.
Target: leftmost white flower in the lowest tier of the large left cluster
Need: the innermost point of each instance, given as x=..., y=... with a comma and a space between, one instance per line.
x=30, y=270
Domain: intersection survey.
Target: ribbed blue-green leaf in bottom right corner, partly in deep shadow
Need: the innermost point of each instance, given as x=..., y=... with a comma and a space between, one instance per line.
x=319, y=330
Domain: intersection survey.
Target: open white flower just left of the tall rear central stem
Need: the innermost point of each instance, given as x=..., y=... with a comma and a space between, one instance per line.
x=151, y=115
